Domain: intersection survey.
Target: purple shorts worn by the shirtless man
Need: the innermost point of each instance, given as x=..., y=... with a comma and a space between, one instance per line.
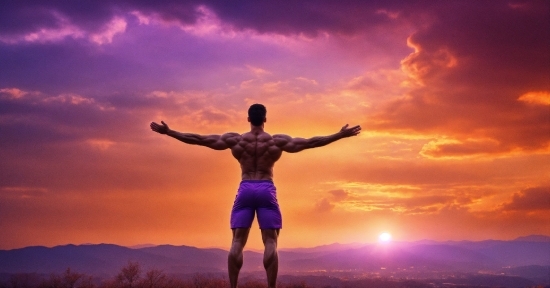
x=256, y=196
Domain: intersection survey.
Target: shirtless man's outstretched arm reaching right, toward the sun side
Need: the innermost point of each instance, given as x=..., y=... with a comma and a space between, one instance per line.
x=293, y=145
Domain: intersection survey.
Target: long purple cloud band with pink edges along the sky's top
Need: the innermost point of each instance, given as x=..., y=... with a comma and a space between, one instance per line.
x=55, y=21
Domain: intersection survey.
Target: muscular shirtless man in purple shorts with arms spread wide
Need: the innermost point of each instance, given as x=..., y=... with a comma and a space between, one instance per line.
x=257, y=152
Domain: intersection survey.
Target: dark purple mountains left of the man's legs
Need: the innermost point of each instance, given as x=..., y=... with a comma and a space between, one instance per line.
x=105, y=260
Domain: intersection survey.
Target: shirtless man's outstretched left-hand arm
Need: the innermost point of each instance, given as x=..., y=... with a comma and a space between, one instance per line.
x=217, y=142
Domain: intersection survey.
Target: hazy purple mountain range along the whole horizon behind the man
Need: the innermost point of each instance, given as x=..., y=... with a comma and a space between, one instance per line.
x=106, y=260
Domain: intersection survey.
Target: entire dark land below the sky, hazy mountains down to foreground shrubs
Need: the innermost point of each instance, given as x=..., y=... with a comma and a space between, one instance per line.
x=523, y=262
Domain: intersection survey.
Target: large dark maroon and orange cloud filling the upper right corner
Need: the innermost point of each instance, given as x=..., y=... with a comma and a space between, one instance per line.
x=470, y=82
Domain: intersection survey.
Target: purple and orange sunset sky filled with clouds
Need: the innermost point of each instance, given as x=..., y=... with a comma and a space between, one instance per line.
x=453, y=98
